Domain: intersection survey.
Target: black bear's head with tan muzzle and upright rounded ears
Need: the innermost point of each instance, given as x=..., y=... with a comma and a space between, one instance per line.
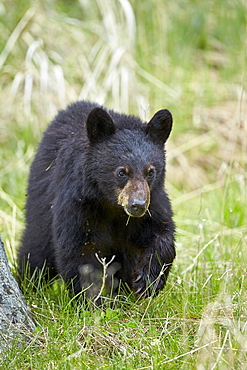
x=127, y=157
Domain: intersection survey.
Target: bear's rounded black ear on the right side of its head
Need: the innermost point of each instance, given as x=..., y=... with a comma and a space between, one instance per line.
x=159, y=127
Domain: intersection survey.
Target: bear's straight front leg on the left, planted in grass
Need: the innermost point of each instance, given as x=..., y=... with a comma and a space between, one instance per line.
x=71, y=246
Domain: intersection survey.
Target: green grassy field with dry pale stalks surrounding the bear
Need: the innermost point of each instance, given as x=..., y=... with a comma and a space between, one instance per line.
x=188, y=56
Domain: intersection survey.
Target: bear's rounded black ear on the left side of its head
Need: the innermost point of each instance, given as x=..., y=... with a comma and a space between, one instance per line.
x=99, y=125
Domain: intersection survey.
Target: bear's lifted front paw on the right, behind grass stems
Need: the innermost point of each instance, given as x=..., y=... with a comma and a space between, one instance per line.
x=153, y=266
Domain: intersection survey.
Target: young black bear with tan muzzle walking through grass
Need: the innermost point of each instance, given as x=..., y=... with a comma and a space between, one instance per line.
x=96, y=195
